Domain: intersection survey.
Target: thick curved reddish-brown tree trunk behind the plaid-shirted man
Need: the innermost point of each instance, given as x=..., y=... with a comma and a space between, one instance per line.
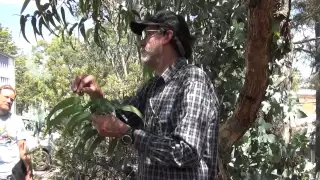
x=258, y=54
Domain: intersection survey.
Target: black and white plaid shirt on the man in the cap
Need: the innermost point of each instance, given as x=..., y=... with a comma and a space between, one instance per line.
x=179, y=138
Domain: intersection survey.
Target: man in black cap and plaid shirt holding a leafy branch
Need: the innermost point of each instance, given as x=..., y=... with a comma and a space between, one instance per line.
x=178, y=140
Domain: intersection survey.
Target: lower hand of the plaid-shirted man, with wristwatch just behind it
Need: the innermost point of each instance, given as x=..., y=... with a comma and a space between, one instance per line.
x=109, y=125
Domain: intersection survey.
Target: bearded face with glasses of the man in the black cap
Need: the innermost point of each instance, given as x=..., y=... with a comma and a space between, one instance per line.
x=151, y=45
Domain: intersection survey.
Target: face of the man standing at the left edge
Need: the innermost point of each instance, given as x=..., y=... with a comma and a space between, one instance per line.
x=7, y=97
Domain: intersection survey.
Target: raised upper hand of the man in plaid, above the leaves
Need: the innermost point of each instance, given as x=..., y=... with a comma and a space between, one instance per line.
x=86, y=84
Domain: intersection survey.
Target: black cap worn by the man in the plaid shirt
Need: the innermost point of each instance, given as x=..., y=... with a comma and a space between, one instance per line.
x=182, y=39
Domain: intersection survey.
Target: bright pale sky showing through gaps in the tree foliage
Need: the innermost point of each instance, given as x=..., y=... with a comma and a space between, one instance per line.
x=9, y=17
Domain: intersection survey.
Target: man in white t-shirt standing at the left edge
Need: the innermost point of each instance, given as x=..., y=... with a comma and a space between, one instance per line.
x=14, y=162
